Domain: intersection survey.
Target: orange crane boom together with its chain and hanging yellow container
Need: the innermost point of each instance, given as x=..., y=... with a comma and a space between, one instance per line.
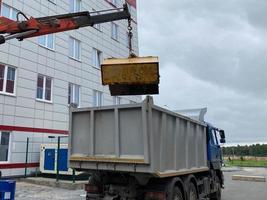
x=131, y=76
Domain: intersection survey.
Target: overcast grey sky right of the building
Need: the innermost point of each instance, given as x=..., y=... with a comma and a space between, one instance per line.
x=213, y=54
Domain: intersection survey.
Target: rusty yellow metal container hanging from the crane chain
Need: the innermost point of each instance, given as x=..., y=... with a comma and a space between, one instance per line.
x=131, y=76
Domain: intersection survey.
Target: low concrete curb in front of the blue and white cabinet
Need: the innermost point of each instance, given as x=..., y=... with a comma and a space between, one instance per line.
x=79, y=185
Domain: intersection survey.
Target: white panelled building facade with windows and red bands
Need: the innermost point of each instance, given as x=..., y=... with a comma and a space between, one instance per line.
x=41, y=76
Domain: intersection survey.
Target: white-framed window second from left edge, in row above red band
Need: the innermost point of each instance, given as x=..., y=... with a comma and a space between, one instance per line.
x=44, y=88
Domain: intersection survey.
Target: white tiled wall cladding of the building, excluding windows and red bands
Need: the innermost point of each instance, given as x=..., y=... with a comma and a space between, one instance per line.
x=31, y=59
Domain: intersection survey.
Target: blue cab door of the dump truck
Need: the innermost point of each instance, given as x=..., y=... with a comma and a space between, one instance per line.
x=214, y=149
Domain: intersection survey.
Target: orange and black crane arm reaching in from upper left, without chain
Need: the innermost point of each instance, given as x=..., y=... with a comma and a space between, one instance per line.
x=33, y=27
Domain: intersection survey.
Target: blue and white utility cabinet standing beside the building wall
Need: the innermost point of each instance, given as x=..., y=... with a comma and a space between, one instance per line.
x=48, y=159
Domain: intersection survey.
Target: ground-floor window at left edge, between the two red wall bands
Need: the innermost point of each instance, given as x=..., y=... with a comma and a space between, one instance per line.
x=4, y=146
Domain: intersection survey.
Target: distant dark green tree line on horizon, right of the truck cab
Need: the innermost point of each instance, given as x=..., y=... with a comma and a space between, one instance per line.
x=258, y=150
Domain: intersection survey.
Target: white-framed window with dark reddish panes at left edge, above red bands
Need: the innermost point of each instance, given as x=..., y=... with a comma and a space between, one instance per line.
x=7, y=79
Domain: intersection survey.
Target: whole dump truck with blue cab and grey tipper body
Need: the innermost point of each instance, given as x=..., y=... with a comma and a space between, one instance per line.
x=143, y=151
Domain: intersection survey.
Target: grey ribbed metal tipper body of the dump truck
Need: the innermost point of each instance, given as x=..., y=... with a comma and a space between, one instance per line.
x=139, y=138
